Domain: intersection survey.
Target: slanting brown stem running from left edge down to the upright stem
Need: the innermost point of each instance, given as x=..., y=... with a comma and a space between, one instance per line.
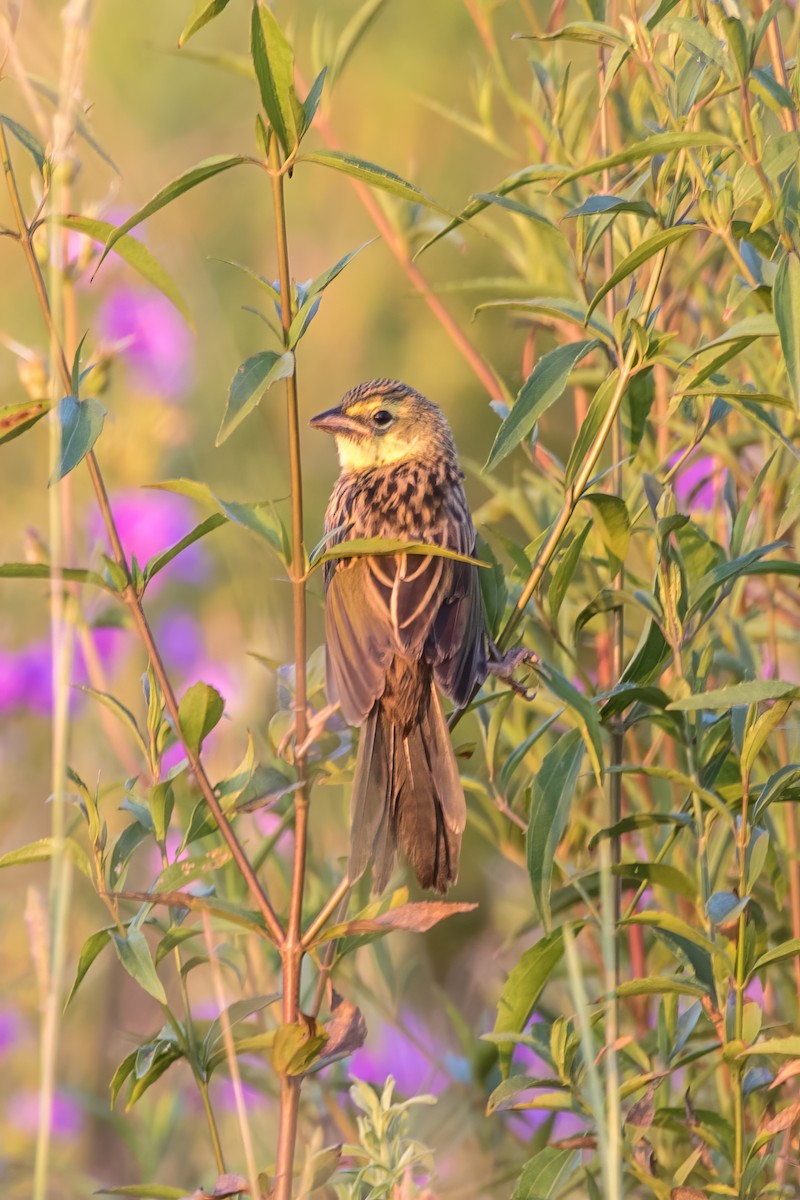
x=129, y=596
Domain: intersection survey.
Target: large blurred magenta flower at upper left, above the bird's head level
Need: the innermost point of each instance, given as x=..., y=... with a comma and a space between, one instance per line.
x=159, y=341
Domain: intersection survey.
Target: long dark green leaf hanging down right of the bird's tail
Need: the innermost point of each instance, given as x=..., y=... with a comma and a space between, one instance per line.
x=550, y=812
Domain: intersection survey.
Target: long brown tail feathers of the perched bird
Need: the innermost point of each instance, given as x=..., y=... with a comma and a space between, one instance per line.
x=407, y=793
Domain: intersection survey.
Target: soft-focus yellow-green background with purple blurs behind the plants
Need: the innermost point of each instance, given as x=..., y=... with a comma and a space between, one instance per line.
x=157, y=112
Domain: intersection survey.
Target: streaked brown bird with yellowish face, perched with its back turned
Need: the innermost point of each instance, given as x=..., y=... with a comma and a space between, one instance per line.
x=402, y=628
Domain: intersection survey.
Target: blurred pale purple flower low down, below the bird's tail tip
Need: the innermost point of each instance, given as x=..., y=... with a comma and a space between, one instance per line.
x=411, y=1054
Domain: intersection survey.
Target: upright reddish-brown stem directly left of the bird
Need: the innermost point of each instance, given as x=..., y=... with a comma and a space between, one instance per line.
x=292, y=952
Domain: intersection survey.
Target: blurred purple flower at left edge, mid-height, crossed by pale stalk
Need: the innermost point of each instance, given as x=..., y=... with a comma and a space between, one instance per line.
x=27, y=675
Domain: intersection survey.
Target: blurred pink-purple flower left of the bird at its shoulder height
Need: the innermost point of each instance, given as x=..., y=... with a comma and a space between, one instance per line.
x=151, y=523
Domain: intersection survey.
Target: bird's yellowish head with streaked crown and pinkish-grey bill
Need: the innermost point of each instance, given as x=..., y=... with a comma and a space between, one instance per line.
x=383, y=423
